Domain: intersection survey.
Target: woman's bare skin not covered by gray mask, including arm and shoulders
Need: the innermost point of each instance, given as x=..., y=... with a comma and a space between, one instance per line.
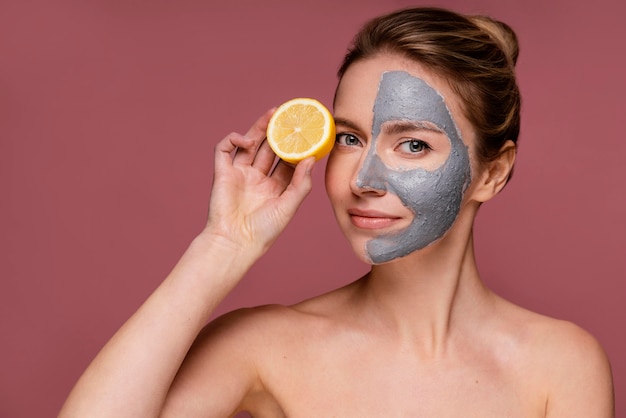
x=420, y=336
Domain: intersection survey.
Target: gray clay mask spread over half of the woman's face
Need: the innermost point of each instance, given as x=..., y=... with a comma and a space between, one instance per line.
x=433, y=196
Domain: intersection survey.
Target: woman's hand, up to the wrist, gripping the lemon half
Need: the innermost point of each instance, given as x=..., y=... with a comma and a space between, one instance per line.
x=252, y=199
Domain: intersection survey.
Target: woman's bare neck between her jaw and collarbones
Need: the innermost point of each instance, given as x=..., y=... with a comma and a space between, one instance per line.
x=426, y=298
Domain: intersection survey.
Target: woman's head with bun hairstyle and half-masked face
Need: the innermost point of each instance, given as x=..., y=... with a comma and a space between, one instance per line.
x=416, y=132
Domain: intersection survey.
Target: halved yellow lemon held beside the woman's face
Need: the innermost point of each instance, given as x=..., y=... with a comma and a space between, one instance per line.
x=301, y=128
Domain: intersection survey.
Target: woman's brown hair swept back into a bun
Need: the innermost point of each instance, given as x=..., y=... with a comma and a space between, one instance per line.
x=476, y=54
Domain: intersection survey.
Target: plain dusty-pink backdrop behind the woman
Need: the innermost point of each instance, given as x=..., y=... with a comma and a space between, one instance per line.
x=109, y=111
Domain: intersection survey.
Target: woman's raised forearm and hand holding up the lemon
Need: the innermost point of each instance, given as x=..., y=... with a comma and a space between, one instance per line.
x=251, y=203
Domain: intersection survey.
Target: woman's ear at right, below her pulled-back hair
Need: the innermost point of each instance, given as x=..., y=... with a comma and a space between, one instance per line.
x=496, y=173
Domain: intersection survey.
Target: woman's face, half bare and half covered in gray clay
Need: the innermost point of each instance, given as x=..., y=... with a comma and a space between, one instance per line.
x=400, y=166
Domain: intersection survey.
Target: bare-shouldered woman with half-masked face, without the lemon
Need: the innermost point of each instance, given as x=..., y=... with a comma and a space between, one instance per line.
x=427, y=113
